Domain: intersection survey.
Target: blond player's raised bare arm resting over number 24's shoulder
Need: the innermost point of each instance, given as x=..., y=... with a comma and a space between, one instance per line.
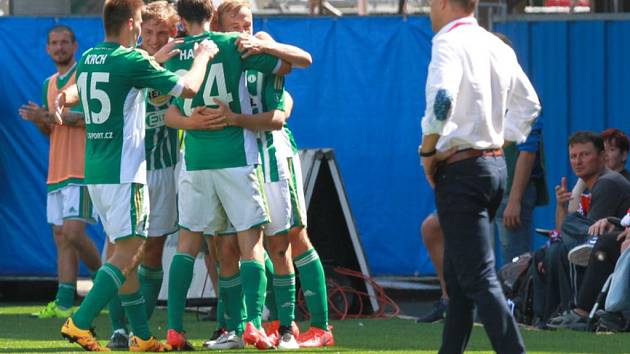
x=262, y=42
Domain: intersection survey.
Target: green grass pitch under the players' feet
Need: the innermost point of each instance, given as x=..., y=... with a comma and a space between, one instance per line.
x=20, y=333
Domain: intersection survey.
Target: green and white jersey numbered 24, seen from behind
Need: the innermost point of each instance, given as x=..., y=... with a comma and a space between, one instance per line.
x=224, y=80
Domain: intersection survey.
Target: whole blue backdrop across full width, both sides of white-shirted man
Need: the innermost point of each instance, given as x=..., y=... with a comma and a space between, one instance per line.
x=363, y=96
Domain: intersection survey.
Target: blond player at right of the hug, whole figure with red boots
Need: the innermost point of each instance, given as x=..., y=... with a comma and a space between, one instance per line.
x=283, y=182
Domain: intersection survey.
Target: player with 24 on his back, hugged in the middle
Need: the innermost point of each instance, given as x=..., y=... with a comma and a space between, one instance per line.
x=218, y=182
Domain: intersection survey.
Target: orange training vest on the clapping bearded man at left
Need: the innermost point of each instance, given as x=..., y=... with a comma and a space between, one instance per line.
x=67, y=143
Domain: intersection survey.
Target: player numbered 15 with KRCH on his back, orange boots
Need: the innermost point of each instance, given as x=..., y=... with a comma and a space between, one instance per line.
x=111, y=81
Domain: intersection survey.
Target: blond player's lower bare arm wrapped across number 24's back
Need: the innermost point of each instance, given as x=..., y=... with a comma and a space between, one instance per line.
x=272, y=120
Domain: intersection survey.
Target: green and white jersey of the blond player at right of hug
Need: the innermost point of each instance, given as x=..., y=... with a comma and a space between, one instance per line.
x=266, y=93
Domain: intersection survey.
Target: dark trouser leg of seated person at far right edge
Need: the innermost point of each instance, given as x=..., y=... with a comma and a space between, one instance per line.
x=605, y=254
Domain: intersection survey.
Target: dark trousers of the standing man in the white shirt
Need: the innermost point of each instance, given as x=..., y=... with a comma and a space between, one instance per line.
x=468, y=194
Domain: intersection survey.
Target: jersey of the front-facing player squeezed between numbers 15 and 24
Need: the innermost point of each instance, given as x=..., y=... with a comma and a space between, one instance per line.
x=161, y=142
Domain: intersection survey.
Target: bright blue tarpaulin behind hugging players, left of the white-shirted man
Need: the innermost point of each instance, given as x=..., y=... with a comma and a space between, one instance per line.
x=363, y=96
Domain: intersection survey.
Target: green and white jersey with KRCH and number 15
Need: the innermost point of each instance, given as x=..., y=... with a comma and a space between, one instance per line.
x=111, y=81
